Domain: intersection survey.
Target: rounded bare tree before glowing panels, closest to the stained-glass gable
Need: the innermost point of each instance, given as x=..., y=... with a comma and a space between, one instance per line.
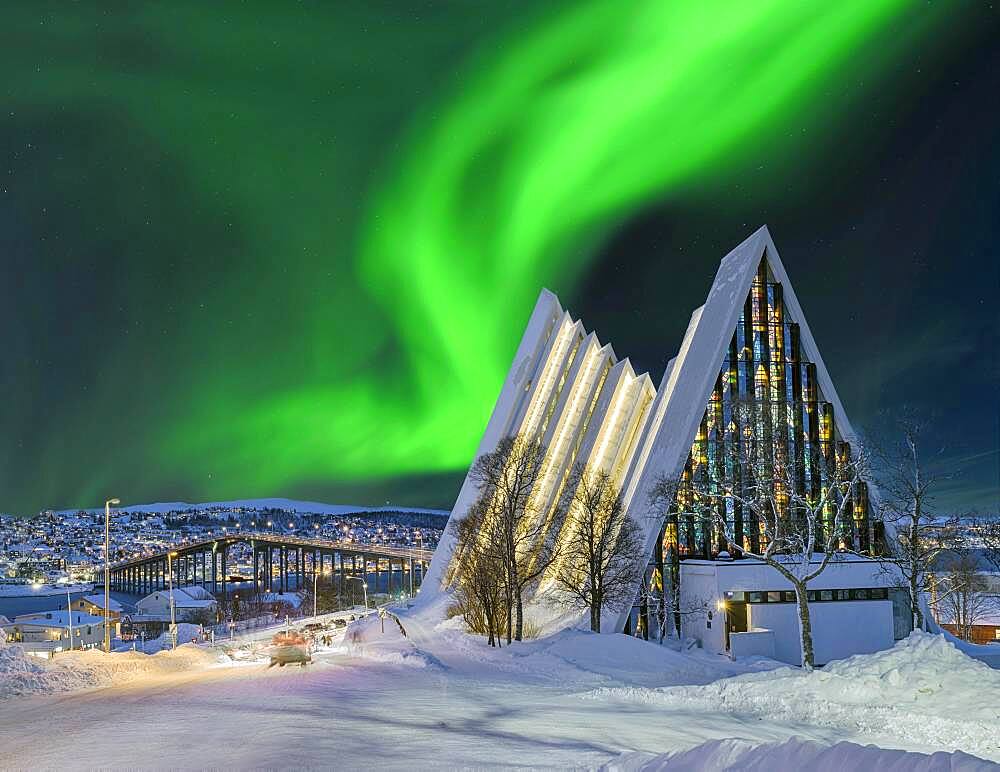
x=602, y=547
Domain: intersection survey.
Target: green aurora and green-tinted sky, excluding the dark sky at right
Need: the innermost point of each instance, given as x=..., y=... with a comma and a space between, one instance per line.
x=320, y=229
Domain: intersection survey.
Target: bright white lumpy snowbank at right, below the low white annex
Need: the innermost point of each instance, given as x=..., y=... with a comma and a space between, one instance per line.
x=923, y=691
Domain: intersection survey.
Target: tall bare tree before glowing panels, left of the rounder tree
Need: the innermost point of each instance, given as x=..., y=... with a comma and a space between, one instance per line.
x=518, y=533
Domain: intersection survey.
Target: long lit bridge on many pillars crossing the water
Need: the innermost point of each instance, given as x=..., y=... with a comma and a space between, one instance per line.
x=279, y=563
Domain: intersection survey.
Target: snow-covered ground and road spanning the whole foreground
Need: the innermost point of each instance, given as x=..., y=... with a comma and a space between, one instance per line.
x=442, y=698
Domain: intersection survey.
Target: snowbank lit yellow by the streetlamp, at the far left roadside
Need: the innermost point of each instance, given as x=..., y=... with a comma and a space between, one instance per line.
x=22, y=674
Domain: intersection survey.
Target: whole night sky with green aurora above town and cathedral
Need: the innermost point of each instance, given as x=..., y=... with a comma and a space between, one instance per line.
x=276, y=249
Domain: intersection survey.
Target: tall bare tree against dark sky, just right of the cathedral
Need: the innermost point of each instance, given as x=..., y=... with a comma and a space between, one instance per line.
x=921, y=535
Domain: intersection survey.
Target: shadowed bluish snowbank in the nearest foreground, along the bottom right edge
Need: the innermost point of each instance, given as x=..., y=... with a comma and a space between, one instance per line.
x=797, y=754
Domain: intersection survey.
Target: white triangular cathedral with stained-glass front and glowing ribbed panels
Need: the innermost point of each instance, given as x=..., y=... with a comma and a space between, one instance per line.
x=749, y=344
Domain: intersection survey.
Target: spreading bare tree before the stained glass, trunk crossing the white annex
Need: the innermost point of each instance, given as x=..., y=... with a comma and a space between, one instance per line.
x=802, y=519
